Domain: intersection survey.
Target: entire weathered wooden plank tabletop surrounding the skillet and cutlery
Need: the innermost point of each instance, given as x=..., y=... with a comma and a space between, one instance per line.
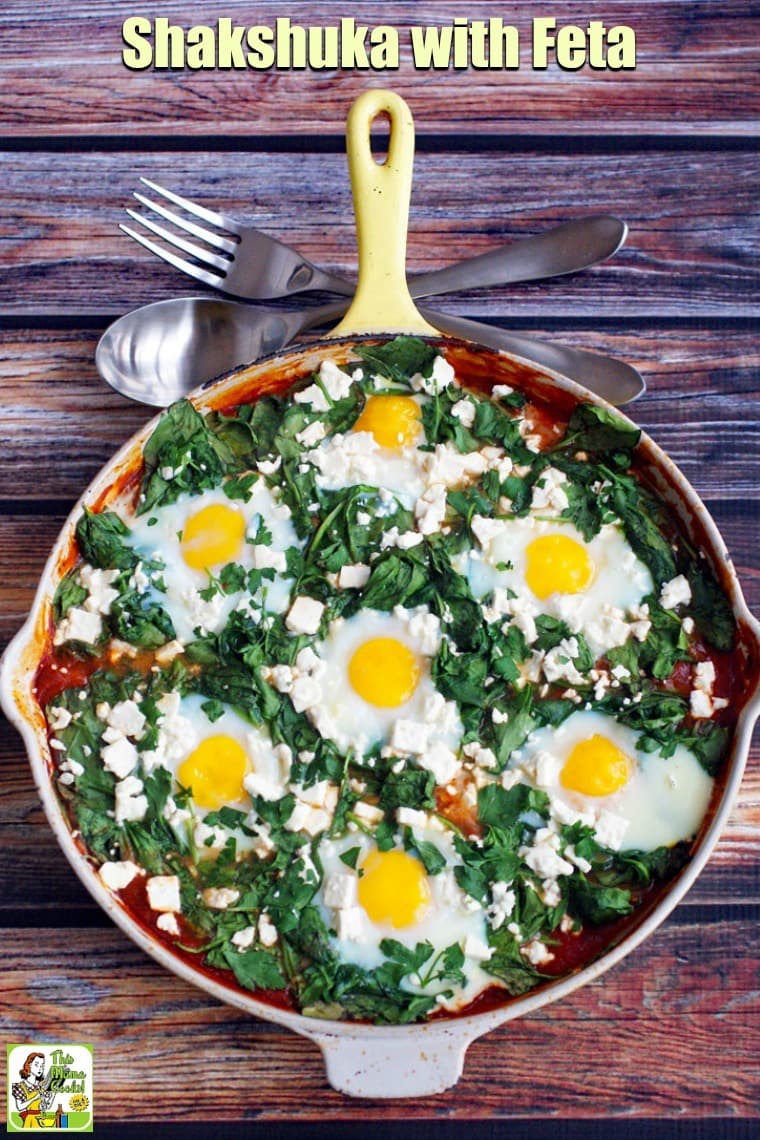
x=667, y=1045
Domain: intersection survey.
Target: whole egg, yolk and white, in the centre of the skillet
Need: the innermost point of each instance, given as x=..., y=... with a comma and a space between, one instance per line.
x=375, y=672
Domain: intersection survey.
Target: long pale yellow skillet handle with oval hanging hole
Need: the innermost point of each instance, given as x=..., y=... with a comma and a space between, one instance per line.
x=381, y=202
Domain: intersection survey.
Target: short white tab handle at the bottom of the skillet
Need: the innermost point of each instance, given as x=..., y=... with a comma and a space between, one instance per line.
x=394, y=1068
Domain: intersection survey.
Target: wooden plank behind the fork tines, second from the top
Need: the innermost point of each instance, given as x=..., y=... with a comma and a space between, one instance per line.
x=690, y=253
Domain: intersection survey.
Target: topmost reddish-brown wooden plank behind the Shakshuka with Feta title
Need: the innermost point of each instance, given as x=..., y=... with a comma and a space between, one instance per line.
x=694, y=75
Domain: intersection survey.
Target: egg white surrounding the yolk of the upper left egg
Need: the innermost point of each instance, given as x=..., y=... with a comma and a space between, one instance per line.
x=161, y=541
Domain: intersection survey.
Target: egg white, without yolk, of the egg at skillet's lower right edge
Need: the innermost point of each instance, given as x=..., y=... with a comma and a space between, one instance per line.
x=664, y=802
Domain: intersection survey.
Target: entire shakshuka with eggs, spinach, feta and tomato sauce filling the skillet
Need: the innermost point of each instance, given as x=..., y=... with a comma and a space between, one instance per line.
x=387, y=697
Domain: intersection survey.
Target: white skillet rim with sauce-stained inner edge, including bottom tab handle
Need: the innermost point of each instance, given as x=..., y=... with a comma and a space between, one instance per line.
x=367, y=1061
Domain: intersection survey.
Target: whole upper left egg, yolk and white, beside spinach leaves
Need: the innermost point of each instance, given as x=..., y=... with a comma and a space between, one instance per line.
x=197, y=536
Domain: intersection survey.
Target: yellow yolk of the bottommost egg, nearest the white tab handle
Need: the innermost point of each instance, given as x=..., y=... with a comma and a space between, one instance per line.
x=394, y=889
